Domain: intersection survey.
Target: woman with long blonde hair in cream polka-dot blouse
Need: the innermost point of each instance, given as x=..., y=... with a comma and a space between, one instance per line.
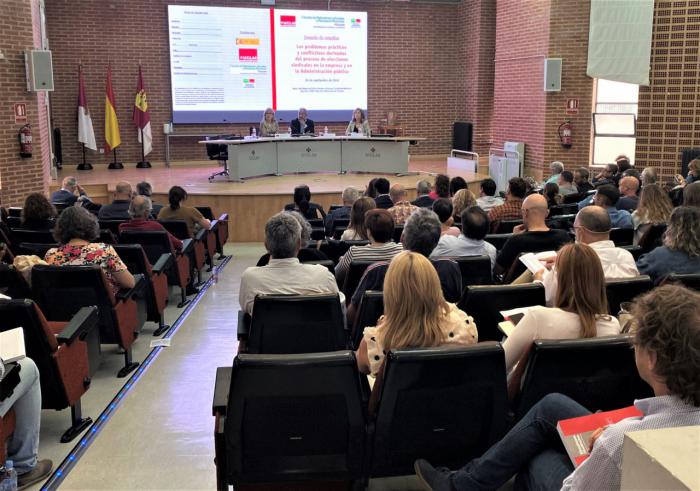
x=416, y=314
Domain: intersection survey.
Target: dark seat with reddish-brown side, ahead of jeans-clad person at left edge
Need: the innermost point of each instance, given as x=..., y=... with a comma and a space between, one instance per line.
x=60, y=353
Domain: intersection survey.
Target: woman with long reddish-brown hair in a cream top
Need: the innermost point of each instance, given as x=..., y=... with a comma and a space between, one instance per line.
x=580, y=307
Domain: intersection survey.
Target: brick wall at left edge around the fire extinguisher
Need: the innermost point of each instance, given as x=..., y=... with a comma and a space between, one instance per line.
x=18, y=176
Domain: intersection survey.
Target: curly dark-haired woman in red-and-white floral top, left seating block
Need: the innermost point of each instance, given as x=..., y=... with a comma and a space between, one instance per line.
x=76, y=229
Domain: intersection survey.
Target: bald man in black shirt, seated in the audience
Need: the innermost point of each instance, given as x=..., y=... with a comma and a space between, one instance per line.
x=532, y=236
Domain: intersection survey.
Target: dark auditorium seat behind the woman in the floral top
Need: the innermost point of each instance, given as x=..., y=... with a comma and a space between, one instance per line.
x=61, y=291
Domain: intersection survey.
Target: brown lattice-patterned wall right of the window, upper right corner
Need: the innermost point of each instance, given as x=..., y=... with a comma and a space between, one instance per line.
x=669, y=118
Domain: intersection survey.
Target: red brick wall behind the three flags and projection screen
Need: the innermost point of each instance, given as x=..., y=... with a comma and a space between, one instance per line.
x=412, y=68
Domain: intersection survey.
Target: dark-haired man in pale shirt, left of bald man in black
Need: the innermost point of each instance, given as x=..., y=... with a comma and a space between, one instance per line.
x=470, y=242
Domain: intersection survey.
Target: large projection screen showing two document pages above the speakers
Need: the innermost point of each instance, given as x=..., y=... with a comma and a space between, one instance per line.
x=229, y=64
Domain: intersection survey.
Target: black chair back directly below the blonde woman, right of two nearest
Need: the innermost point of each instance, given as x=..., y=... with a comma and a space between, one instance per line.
x=446, y=405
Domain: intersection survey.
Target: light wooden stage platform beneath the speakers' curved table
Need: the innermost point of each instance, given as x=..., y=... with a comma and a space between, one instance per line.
x=250, y=203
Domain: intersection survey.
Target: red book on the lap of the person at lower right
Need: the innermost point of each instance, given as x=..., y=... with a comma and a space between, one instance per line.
x=576, y=433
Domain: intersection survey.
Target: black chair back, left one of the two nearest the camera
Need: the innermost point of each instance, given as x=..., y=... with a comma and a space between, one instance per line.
x=294, y=418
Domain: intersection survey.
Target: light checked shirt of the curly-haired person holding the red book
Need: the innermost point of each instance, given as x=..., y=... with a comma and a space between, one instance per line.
x=602, y=470
